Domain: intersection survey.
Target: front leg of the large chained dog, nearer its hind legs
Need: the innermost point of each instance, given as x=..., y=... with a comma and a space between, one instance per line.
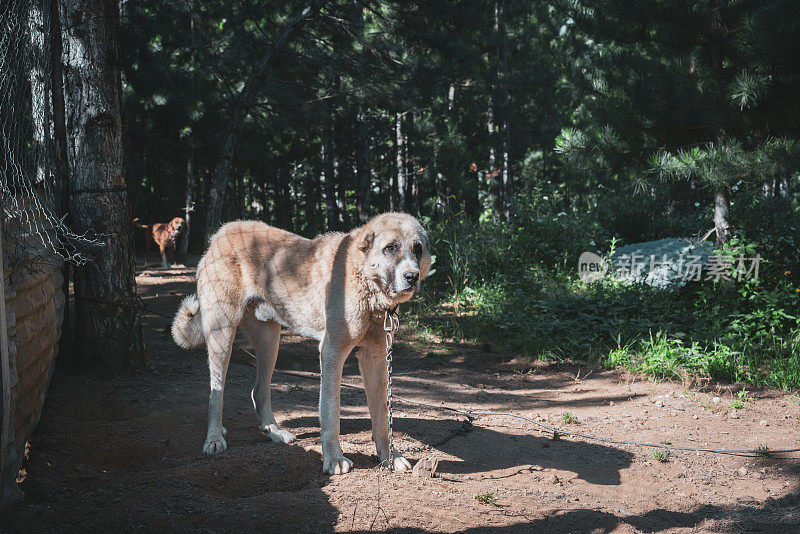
x=332, y=359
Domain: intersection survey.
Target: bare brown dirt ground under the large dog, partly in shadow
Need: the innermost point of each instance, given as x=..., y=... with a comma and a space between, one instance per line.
x=123, y=454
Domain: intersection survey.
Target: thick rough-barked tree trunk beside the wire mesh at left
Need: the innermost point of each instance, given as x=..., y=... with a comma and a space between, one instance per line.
x=108, y=326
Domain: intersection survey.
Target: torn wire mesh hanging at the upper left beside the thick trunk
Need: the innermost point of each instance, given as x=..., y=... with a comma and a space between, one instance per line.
x=32, y=190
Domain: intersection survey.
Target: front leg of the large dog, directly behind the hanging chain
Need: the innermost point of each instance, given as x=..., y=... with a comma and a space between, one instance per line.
x=372, y=363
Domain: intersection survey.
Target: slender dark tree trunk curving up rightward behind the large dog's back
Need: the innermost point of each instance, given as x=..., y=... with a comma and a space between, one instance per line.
x=245, y=99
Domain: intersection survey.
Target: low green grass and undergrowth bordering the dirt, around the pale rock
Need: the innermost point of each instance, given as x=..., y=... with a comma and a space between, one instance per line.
x=514, y=289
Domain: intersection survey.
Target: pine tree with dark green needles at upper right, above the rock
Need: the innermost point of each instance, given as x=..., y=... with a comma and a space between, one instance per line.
x=704, y=91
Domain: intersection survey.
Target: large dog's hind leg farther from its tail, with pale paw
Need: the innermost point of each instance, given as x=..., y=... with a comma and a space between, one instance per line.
x=265, y=338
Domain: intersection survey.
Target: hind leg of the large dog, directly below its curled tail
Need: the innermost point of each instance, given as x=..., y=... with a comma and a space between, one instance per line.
x=219, y=340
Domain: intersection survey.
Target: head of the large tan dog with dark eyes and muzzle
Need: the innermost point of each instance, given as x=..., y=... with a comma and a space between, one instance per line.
x=397, y=254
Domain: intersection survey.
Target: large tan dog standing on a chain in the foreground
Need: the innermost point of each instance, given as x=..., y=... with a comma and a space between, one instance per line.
x=334, y=288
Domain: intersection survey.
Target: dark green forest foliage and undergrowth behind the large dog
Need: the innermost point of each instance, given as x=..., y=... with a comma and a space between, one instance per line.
x=615, y=121
